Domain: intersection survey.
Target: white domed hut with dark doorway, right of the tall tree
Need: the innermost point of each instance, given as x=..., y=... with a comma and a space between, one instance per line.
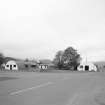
x=87, y=66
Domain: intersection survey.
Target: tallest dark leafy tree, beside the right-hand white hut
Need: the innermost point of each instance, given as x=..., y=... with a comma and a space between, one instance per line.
x=70, y=58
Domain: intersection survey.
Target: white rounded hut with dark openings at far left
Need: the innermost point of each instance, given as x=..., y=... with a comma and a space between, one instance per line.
x=11, y=65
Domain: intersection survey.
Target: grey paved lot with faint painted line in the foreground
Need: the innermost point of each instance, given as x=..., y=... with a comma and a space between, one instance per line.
x=52, y=88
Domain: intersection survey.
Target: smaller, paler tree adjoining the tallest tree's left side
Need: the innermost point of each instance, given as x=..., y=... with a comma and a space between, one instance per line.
x=58, y=60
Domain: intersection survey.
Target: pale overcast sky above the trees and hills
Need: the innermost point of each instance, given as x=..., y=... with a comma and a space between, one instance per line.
x=40, y=28
